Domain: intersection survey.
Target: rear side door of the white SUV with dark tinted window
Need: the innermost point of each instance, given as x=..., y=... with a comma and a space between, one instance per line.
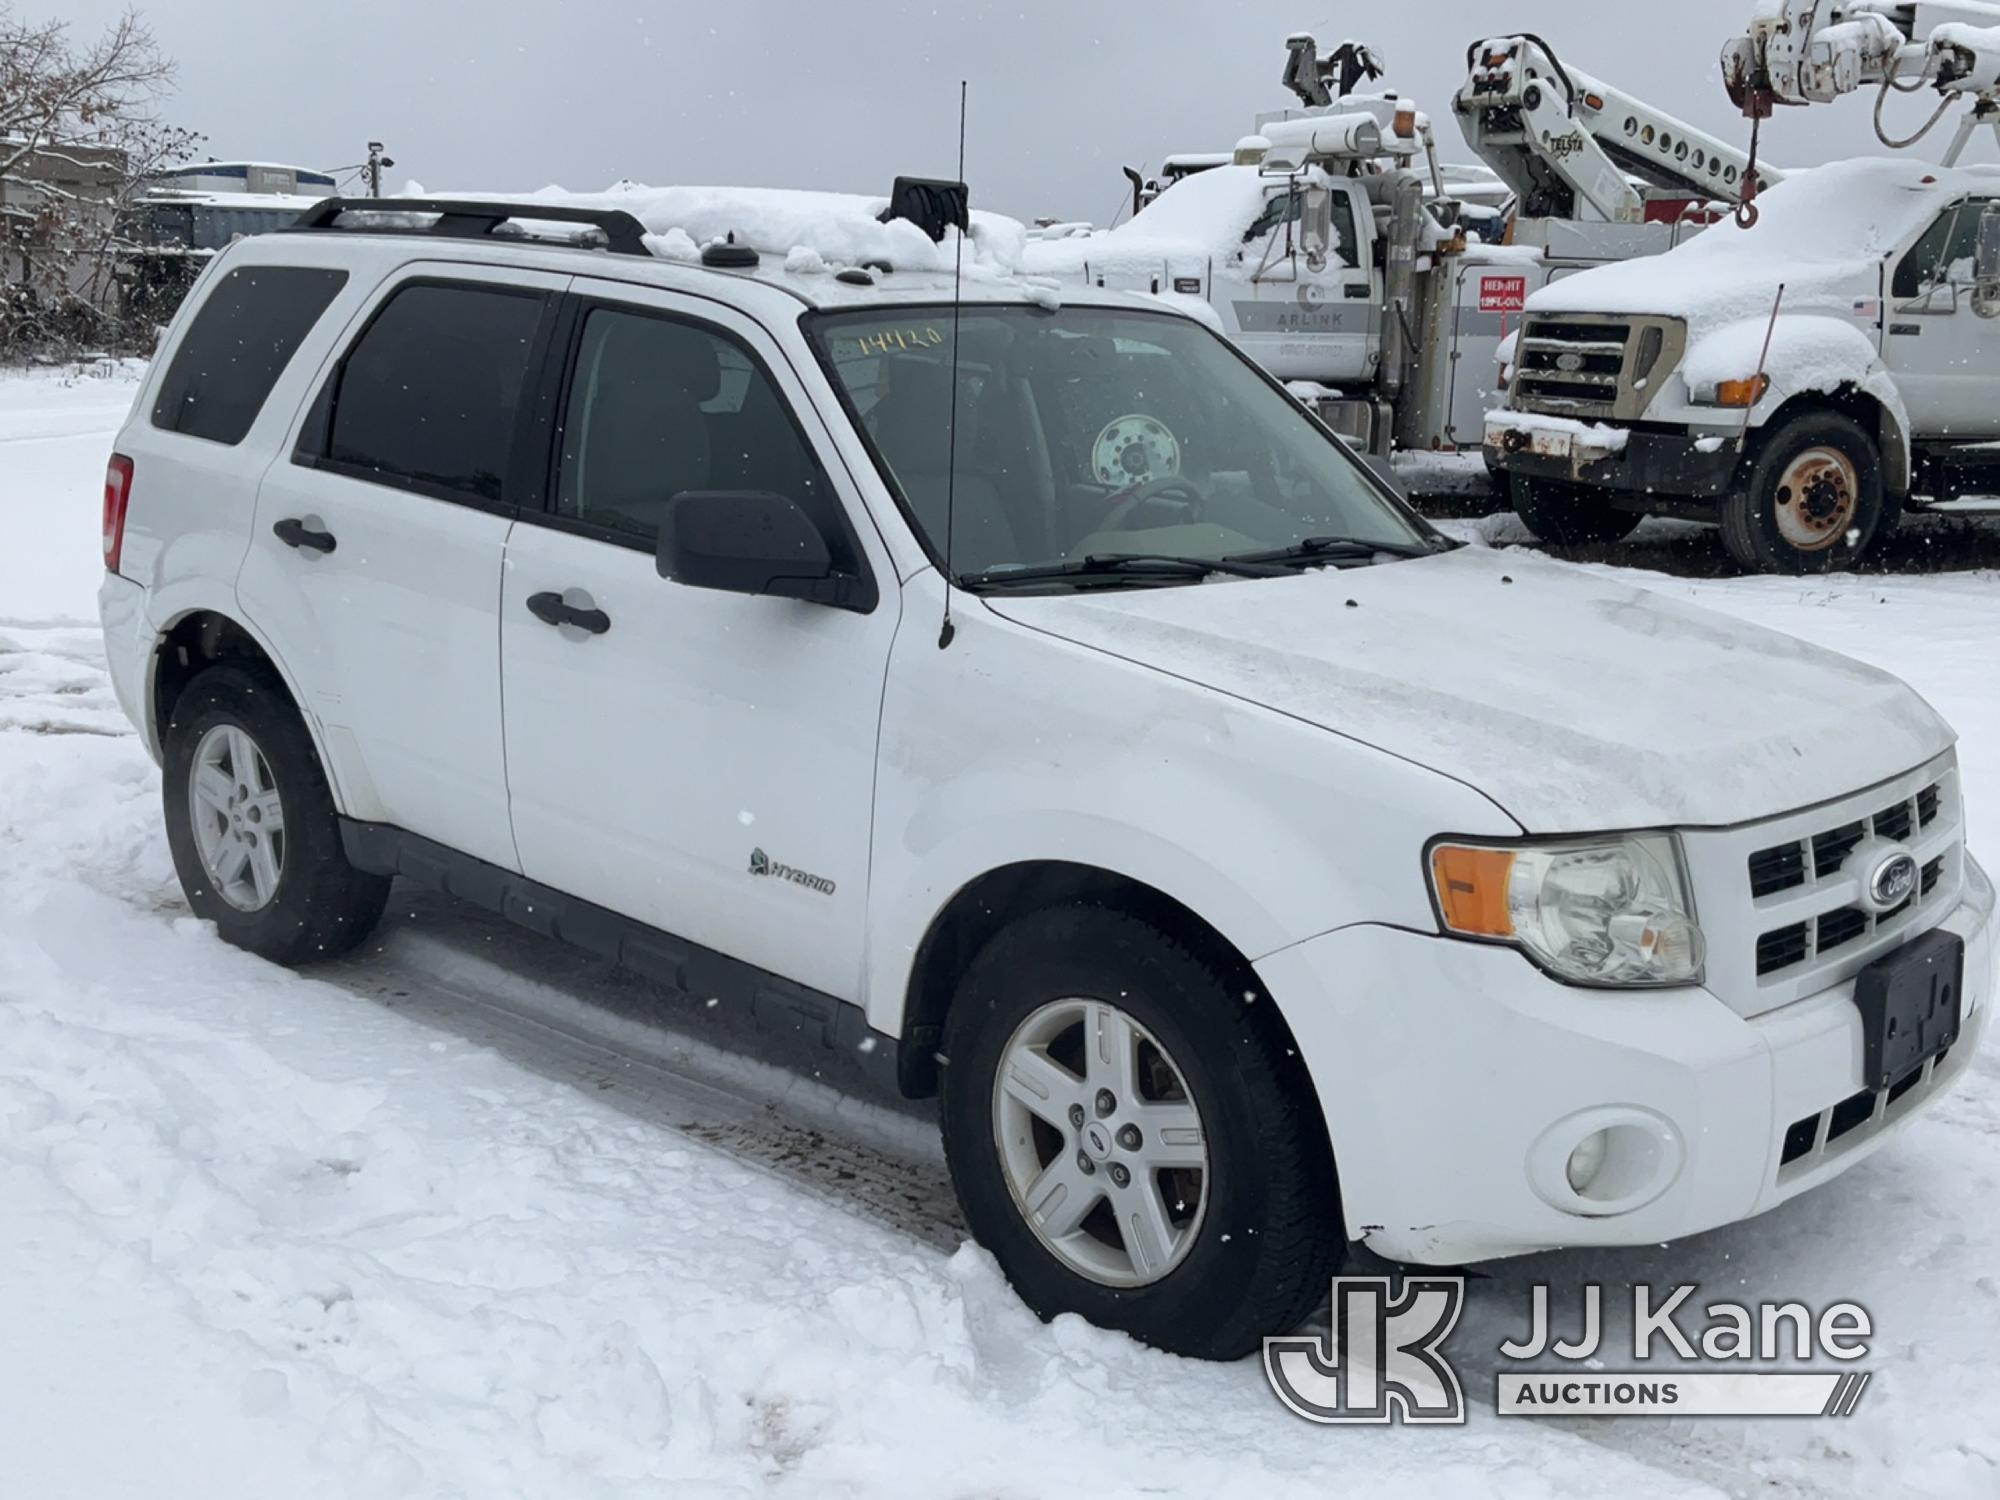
x=377, y=553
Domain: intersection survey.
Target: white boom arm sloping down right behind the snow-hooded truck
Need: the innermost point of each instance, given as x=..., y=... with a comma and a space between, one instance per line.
x=1569, y=143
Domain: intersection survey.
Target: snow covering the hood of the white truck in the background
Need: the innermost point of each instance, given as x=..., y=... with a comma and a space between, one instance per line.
x=1821, y=233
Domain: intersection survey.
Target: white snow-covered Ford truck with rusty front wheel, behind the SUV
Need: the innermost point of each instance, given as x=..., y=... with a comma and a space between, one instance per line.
x=1799, y=381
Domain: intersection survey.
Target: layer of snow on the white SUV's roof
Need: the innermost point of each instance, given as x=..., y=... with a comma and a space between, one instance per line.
x=837, y=229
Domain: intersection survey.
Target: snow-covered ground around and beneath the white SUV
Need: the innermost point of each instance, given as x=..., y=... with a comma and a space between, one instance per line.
x=465, y=1219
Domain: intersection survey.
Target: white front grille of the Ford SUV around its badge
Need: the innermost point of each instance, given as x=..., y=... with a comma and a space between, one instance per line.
x=1783, y=905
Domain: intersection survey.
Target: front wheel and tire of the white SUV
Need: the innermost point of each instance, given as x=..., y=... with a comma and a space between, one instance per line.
x=1133, y=1137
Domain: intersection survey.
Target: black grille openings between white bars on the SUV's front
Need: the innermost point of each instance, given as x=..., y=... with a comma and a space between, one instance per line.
x=1819, y=859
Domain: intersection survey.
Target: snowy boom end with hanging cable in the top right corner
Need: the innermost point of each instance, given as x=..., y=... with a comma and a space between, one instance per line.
x=1817, y=51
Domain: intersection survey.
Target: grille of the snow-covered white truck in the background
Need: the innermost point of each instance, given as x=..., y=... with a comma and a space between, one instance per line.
x=1593, y=367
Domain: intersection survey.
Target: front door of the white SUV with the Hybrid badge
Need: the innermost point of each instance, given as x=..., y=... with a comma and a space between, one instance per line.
x=697, y=761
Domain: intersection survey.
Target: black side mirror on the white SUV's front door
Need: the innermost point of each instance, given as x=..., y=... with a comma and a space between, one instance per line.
x=753, y=543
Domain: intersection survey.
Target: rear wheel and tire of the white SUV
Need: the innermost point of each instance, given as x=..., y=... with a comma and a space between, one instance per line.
x=253, y=825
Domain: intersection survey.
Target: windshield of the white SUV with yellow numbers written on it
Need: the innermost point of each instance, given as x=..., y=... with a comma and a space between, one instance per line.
x=1093, y=435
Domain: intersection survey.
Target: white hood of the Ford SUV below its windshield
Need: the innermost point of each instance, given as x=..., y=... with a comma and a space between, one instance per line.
x=1575, y=703
